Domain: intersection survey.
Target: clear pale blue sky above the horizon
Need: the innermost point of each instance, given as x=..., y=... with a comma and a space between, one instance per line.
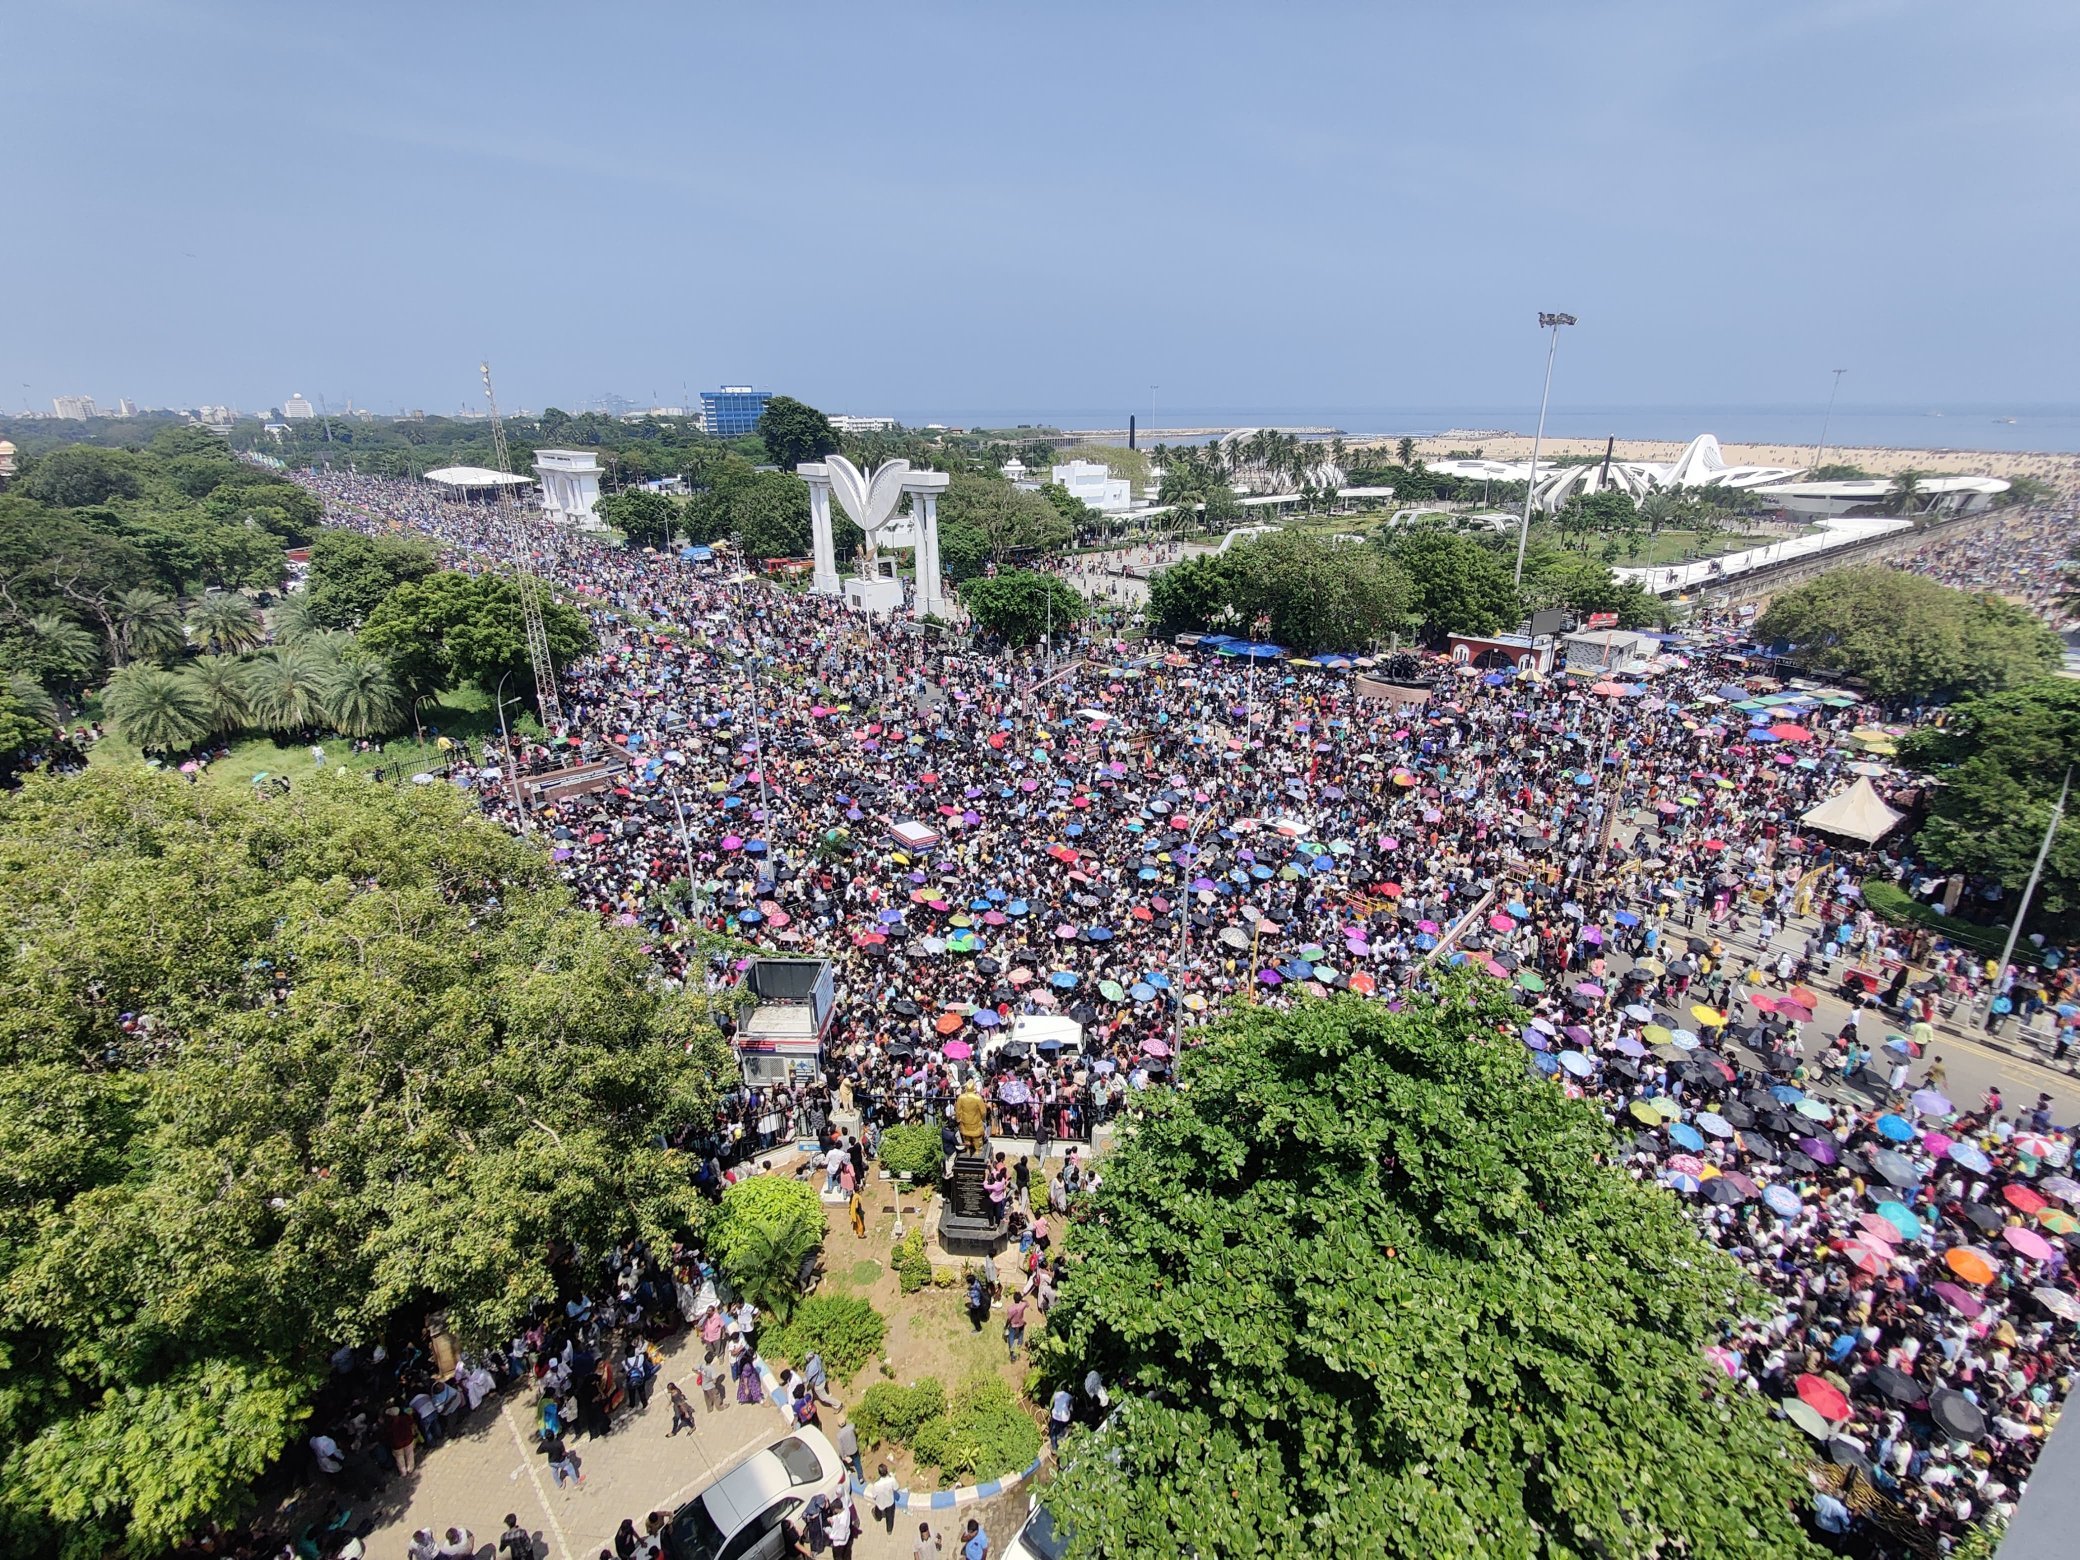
x=962, y=207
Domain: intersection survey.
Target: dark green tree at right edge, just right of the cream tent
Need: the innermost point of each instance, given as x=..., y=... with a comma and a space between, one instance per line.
x=1998, y=764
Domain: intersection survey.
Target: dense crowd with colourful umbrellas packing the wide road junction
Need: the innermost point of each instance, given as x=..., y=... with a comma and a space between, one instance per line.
x=1141, y=841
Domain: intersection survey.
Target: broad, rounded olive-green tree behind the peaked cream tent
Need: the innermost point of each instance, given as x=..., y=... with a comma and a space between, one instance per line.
x=1910, y=638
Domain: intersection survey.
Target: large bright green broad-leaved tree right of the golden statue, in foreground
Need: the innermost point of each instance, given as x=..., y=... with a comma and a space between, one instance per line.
x=1372, y=1278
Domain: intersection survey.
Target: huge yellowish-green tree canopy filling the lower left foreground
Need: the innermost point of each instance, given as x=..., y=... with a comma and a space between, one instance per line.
x=276, y=1076
